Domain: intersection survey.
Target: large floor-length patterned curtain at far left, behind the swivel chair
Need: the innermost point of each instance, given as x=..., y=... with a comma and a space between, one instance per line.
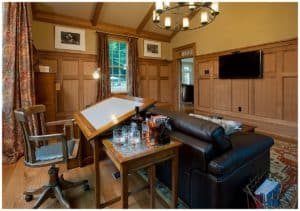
x=17, y=73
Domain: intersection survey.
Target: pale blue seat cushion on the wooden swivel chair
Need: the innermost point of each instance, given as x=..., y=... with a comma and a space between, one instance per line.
x=53, y=151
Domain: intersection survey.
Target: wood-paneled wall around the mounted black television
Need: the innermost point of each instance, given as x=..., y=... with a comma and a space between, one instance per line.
x=267, y=102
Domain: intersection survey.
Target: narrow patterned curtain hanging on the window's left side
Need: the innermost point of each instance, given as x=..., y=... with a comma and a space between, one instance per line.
x=103, y=59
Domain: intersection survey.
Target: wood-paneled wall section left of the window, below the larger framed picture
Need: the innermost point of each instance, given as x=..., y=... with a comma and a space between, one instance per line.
x=76, y=87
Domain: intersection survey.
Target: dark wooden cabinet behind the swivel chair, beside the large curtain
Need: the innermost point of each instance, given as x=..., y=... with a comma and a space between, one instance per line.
x=46, y=94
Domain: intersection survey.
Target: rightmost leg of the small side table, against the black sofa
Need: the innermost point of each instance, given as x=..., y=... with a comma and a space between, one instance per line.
x=174, y=179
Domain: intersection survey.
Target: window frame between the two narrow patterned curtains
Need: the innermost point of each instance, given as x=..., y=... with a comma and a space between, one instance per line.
x=124, y=40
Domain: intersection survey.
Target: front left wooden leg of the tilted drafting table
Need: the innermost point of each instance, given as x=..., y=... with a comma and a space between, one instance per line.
x=97, y=172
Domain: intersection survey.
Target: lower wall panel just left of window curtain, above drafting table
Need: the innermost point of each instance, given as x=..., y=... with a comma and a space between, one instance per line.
x=89, y=92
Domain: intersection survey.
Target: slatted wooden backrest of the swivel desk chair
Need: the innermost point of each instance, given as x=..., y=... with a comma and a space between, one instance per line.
x=32, y=122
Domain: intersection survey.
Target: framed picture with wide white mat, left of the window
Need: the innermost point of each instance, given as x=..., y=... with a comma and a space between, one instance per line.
x=69, y=38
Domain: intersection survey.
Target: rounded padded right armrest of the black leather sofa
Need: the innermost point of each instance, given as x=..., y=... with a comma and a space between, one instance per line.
x=245, y=147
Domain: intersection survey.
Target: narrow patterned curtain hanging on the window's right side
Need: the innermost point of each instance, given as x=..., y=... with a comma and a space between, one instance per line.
x=133, y=65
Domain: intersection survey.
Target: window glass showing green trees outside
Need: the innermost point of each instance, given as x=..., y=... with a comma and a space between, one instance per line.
x=118, y=60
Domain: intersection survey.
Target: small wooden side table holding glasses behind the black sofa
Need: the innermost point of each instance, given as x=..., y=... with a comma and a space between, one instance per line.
x=146, y=158
